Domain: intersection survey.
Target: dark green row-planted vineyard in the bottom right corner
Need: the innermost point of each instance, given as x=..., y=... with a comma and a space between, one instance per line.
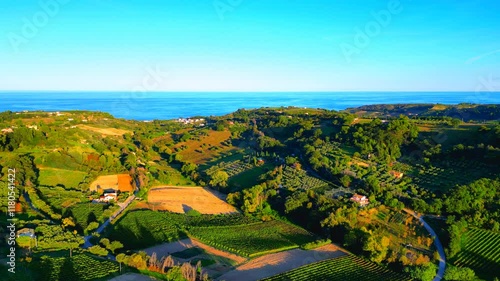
x=481, y=252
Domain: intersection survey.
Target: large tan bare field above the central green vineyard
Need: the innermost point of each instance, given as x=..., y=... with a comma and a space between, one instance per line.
x=182, y=199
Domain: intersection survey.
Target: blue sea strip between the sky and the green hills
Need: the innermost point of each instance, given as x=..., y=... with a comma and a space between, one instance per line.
x=173, y=105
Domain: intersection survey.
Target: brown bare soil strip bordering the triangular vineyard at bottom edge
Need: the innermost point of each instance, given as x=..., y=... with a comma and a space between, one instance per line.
x=273, y=264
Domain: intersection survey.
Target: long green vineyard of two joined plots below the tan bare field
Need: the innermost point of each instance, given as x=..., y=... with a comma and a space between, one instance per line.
x=235, y=233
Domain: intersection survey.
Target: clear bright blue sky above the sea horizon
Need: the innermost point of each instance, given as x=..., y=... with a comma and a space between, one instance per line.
x=250, y=45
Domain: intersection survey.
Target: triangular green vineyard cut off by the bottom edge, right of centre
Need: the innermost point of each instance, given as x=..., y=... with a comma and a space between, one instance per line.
x=347, y=268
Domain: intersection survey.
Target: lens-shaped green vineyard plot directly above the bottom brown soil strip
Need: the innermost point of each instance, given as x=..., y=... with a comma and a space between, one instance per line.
x=253, y=239
